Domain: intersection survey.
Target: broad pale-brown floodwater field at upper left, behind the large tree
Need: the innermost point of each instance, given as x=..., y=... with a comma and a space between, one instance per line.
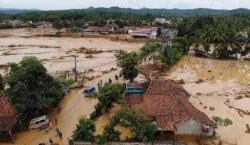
x=57, y=53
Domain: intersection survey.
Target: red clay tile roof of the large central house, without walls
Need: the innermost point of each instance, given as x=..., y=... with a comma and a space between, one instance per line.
x=168, y=102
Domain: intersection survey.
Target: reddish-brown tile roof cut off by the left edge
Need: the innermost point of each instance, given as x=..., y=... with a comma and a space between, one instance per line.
x=7, y=115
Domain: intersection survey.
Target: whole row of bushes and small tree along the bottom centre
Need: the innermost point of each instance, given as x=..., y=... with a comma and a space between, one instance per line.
x=139, y=124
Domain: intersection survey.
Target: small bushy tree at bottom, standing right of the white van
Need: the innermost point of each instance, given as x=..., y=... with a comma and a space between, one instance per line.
x=84, y=130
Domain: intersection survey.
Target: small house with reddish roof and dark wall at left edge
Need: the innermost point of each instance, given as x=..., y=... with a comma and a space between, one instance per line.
x=7, y=119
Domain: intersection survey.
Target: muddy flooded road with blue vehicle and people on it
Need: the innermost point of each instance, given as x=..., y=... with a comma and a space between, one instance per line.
x=74, y=106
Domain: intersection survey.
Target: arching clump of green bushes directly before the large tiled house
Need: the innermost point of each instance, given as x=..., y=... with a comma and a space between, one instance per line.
x=138, y=123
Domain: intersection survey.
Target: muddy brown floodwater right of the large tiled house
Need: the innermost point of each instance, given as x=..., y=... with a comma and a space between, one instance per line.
x=219, y=88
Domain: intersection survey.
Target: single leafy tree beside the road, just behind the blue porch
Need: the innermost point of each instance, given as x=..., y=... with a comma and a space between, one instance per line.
x=128, y=61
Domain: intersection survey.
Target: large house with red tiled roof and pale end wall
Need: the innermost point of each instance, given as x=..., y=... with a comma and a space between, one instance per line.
x=167, y=103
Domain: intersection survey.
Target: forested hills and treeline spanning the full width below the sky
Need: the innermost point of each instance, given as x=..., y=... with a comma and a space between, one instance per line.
x=122, y=16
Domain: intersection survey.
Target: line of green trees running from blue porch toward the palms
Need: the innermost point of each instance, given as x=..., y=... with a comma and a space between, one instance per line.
x=167, y=55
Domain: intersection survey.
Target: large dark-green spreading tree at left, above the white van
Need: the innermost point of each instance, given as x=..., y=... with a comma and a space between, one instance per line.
x=31, y=89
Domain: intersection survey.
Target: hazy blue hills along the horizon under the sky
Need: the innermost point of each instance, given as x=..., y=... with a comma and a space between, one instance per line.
x=144, y=11
